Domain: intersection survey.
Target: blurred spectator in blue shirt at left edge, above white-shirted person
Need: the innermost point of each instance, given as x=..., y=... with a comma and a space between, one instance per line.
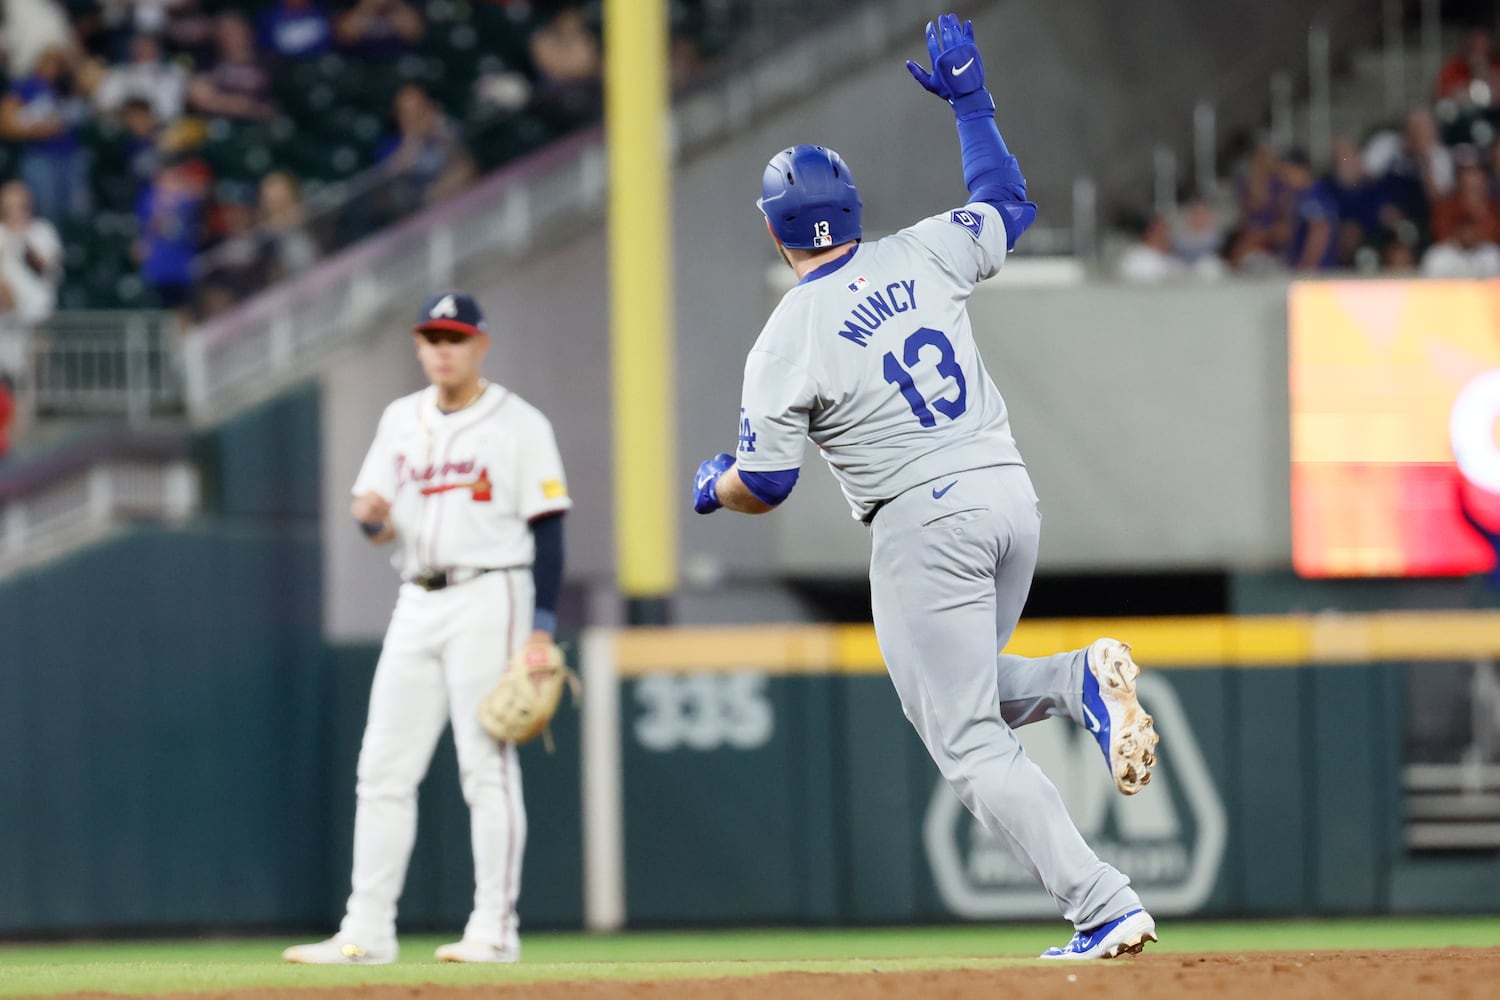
x=41, y=115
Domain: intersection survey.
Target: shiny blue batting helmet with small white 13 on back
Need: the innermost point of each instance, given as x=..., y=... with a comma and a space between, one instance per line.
x=808, y=196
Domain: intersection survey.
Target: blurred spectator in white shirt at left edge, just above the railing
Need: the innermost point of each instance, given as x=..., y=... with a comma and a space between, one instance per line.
x=31, y=271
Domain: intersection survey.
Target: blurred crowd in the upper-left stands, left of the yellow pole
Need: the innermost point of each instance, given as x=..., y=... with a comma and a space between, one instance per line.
x=154, y=130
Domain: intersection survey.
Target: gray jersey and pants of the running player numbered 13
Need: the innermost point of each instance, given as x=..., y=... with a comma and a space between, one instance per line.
x=872, y=356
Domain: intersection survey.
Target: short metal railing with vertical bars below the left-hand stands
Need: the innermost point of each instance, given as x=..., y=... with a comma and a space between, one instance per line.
x=118, y=364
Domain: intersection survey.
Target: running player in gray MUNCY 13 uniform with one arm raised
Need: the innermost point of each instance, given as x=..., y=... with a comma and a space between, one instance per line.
x=874, y=359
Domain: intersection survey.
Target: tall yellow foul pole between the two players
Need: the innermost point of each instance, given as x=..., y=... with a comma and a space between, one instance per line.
x=637, y=121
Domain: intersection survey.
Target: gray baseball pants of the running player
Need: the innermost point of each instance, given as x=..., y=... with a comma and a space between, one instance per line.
x=949, y=578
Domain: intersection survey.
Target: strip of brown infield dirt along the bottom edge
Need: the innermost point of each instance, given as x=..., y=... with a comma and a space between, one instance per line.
x=1450, y=974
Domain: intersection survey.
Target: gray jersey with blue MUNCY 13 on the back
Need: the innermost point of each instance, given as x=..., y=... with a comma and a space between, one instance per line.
x=874, y=359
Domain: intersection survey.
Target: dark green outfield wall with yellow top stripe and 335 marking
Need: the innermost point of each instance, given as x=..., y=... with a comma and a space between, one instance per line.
x=178, y=743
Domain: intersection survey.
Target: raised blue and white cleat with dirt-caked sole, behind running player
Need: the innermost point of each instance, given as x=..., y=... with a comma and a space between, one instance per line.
x=1126, y=732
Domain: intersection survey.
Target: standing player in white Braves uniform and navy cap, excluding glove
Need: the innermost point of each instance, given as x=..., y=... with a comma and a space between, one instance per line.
x=466, y=479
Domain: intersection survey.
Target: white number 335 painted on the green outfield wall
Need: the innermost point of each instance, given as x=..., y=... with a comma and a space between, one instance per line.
x=703, y=711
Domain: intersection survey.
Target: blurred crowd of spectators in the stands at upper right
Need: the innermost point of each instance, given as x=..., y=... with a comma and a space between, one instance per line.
x=1418, y=197
